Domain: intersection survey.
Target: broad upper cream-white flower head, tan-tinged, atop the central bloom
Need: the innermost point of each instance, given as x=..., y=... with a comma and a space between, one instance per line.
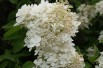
x=52, y=16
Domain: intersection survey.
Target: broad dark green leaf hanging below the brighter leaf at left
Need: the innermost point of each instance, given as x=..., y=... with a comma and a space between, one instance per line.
x=18, y=43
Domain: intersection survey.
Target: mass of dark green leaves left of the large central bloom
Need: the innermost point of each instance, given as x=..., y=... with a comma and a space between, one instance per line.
x=13, y=54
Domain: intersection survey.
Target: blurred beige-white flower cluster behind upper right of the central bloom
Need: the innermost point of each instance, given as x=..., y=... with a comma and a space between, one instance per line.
x=86, y=14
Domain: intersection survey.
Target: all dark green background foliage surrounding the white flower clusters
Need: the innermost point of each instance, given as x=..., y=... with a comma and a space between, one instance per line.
x=14, y=55
